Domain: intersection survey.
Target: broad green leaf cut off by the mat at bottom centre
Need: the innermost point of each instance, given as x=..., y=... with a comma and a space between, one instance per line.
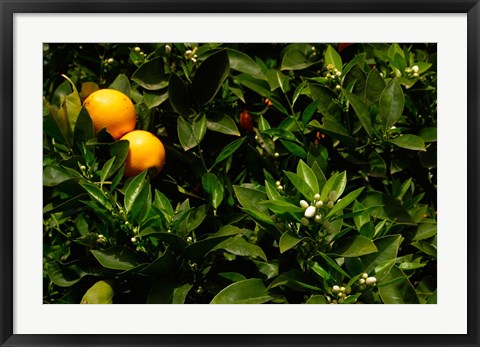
x=249, y=291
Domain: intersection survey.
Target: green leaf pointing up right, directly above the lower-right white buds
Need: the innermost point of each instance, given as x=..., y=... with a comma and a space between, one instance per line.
x=384, y=258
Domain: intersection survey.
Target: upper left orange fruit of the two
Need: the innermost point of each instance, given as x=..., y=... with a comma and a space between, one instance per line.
x=111, y=109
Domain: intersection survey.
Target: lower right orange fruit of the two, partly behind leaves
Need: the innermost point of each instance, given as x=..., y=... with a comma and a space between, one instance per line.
x=146, y=152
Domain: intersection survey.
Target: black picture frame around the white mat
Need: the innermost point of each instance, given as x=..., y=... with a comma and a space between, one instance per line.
x=10, y=7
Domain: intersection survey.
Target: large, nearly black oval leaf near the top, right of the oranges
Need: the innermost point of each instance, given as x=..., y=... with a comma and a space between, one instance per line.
x=210, y=76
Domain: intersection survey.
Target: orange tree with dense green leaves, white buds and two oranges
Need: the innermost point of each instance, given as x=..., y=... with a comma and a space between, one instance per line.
x=288, y=173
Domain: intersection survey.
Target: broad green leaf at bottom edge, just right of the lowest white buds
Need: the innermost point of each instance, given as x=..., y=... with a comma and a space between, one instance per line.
x=399, y=292
